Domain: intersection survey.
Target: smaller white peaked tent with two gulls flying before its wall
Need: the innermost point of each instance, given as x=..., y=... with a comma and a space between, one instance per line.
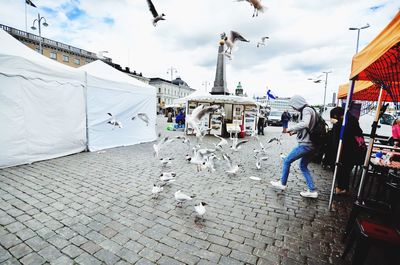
x=111, y=91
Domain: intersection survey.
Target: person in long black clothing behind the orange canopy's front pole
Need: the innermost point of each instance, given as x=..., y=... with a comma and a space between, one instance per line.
x=351, y=154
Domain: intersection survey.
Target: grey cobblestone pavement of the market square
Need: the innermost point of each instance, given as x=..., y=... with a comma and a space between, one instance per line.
x=96, y=208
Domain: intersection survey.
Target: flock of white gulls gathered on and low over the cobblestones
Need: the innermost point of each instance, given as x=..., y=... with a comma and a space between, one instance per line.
x=202, y=157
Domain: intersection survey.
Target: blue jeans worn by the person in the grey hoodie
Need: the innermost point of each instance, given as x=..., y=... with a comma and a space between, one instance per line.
x=304, y=152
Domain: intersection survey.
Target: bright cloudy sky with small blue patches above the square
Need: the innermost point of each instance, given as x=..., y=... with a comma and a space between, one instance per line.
x=306, y=38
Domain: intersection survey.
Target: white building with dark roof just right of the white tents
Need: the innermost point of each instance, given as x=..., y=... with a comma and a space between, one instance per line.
x=167, y=91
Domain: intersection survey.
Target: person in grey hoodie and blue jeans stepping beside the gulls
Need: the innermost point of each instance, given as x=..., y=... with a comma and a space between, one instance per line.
x=304, y=150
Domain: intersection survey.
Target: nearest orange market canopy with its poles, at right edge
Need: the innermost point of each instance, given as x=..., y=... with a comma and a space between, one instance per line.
x=378, y=63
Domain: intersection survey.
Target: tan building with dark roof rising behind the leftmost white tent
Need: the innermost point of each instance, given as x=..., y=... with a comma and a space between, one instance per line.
x=55, y=50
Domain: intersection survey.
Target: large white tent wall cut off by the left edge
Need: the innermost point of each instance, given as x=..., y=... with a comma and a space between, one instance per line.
x=42, y=106
